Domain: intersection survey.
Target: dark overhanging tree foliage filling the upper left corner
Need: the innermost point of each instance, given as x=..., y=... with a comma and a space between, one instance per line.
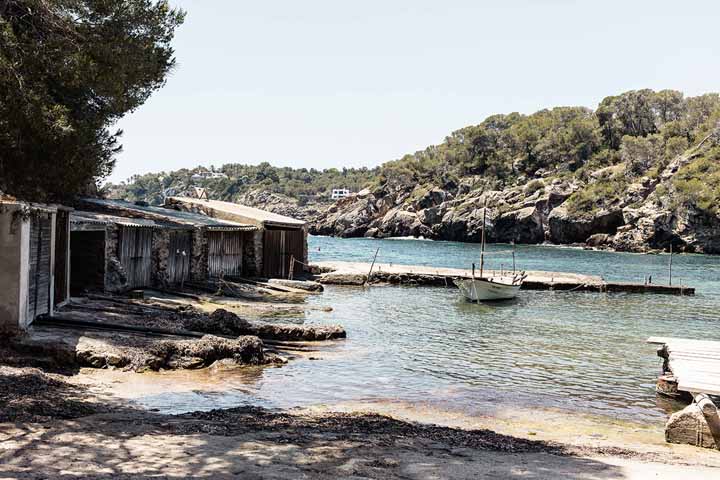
x=69, y=69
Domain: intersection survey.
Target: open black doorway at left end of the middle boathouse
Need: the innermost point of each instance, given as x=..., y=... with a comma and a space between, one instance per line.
x=87, y=262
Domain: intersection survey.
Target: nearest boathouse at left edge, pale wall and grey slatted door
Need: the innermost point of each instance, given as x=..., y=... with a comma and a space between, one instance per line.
x=34, y=254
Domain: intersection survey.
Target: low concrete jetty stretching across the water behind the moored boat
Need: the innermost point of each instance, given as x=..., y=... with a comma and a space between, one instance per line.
x=355, y=273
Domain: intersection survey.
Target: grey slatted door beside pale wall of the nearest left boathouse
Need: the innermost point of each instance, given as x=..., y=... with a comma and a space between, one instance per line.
x=39, y=278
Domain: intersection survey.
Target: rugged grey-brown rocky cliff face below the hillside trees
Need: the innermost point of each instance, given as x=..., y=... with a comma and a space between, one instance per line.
x=648, y=214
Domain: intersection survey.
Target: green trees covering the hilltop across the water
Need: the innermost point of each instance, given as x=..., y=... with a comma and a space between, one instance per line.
x=637, y=131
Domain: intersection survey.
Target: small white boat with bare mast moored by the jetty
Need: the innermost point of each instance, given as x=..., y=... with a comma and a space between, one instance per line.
x=479, y=289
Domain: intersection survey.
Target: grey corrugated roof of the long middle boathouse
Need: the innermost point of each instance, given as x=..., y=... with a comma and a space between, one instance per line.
x=161, y=214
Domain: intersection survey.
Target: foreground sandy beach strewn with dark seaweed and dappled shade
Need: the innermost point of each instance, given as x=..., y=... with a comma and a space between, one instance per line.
x=52, y=426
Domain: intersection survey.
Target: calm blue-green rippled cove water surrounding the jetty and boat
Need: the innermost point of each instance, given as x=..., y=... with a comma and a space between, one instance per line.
x=577, y=351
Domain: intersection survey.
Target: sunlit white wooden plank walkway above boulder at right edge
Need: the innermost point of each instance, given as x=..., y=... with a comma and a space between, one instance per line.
x=695, y=364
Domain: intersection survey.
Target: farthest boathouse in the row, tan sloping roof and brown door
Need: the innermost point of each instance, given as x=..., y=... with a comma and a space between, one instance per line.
x=279, y=239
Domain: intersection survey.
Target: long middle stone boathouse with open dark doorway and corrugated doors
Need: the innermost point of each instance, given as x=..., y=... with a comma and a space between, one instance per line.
x=151, y=246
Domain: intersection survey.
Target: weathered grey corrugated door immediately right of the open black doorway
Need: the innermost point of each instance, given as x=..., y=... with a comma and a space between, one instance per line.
x=135, y=252
